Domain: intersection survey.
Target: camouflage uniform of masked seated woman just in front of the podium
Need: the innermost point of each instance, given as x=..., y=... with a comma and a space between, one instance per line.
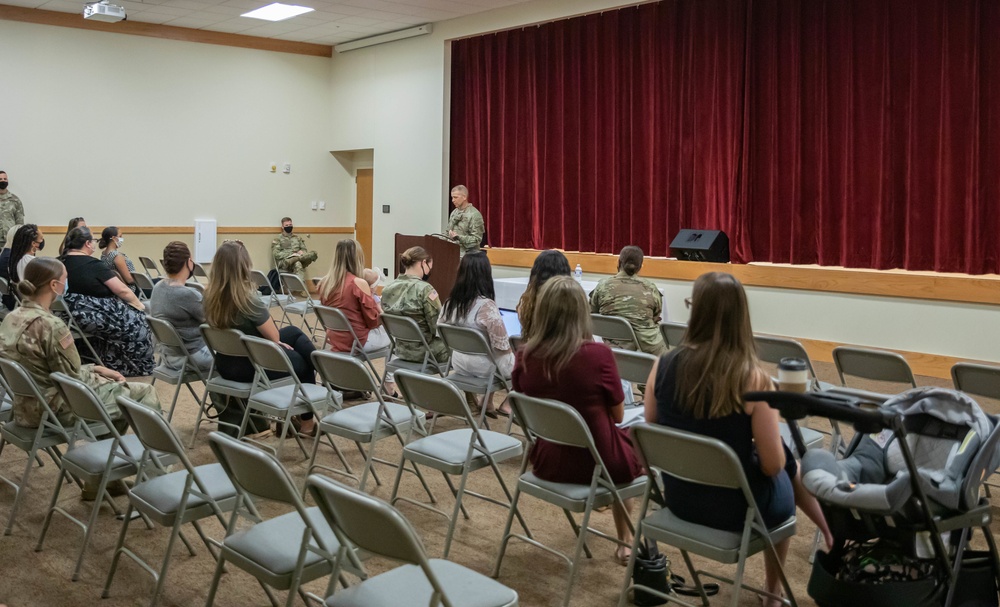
x=414, y=298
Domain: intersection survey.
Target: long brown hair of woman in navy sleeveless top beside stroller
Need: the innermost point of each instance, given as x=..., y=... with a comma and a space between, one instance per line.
x=720, y=359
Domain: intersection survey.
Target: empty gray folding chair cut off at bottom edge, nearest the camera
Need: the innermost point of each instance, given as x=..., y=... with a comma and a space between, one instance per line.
x=370, y=524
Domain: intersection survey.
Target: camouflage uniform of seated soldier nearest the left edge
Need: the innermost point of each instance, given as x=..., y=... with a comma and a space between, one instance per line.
x=42, y=344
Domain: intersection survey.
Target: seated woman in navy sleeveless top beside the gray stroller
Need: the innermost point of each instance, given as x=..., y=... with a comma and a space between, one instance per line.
x=698, y=388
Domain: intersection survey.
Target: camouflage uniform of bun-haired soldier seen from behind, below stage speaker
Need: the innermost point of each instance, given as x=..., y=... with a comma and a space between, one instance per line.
x=638, y=301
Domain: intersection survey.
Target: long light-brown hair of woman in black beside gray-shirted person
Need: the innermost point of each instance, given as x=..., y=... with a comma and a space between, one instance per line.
x=230, y=293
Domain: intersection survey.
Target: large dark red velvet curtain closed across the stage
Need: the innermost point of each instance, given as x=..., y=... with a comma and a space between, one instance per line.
x=842, y=132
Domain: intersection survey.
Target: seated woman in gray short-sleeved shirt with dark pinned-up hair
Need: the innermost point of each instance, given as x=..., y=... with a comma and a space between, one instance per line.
x=181, y=306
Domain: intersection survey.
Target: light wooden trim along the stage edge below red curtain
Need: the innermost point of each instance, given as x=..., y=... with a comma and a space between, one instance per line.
x=961, y=288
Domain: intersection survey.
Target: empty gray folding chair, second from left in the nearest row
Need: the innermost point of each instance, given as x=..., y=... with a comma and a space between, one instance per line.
x=91, y=461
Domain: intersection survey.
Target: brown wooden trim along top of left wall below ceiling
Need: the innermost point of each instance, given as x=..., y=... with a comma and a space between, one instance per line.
x=167, y=32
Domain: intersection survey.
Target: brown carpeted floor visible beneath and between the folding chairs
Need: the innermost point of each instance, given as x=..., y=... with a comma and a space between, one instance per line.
x=29, y=578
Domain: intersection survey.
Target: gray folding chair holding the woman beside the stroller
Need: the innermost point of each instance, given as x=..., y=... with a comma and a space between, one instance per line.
x=705, y=461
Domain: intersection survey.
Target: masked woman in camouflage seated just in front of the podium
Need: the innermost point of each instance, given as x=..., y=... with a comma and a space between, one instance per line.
x=412, y=296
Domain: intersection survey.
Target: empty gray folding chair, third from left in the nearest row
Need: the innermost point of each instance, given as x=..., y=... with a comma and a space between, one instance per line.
x=169, y=499
